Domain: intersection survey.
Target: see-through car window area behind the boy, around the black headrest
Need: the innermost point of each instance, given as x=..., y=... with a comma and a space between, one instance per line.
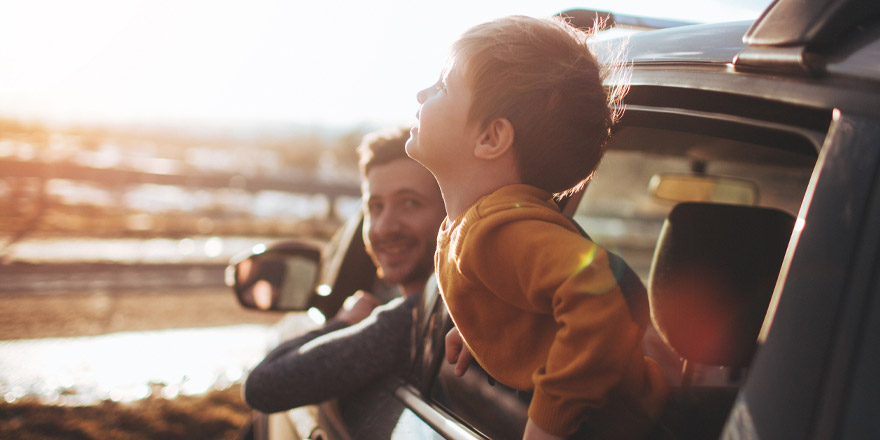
x=620, y=213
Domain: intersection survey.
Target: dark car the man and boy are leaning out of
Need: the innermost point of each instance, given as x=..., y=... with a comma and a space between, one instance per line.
x=742, y=186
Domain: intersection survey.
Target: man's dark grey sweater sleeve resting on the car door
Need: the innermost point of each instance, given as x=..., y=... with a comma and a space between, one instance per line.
x=330, y=363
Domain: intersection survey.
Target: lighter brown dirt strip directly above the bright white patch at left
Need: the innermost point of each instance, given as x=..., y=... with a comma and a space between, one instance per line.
x=29, y=315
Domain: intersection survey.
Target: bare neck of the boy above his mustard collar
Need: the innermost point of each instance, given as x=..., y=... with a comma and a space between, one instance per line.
x=462, y=192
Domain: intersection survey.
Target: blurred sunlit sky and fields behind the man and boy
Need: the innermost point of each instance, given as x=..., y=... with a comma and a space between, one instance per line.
x=144, y=143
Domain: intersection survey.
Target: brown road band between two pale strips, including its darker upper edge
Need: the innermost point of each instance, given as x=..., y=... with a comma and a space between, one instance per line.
x=46, y=301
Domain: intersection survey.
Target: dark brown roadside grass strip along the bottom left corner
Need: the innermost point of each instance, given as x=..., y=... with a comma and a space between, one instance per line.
x=218, y=414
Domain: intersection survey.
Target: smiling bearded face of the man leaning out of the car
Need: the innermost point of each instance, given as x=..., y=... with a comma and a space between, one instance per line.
x=403, y=209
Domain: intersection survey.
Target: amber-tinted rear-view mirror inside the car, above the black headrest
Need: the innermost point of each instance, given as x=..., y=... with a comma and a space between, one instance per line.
x=703, y=188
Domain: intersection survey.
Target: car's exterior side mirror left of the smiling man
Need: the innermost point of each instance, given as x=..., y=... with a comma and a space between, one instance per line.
x=281, y=277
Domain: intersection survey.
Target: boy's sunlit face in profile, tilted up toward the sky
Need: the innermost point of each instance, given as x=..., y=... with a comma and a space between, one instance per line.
x=443, y=136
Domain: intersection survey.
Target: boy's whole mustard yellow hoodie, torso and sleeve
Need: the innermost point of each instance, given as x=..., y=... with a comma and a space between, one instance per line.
x=540, y=308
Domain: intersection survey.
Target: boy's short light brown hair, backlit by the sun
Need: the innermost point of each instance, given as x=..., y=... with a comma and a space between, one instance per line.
x=539, y=74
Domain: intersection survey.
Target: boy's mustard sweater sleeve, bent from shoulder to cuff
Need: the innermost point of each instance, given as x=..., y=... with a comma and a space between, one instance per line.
x=553, y=271
